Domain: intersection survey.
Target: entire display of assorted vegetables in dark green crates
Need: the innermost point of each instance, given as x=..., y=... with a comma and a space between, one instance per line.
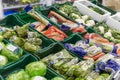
x=90, y=52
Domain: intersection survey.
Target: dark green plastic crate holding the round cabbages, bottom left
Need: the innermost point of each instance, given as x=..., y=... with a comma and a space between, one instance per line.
x=21, y=65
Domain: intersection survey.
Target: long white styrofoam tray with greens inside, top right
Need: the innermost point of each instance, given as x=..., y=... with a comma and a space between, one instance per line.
x=82, y=6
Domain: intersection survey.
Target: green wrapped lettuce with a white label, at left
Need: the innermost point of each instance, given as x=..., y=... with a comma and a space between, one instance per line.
x=12, y=52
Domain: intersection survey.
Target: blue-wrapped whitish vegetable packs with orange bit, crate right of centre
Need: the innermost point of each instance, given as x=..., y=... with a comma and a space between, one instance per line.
x=85, y=50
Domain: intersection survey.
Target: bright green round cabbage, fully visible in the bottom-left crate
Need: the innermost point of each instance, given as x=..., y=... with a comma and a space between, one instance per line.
x=36, y=69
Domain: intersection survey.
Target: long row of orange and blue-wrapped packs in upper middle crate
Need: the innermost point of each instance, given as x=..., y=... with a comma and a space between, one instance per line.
x=65, y=23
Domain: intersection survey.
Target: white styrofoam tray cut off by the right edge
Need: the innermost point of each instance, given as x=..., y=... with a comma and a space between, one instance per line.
x=114, y=21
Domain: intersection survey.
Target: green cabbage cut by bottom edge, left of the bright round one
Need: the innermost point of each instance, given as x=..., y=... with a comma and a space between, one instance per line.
x=20, y=75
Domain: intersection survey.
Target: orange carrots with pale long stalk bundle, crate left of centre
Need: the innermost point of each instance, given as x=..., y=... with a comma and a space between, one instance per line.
x=51, y=31
